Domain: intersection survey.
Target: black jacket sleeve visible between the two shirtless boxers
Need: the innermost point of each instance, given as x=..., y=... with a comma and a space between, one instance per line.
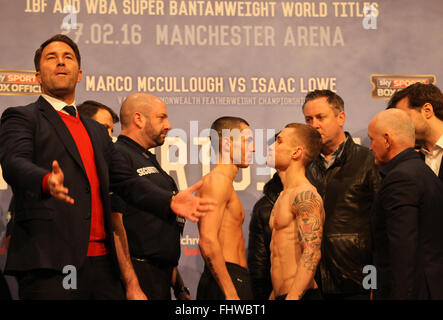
x=259, y=255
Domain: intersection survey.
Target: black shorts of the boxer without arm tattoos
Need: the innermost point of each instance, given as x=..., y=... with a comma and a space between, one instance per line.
x=208, y=288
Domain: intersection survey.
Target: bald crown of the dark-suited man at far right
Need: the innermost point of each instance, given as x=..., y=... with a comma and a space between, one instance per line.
x=398, y=124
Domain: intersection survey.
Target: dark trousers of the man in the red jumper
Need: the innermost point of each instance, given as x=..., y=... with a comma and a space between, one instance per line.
x=97, y=279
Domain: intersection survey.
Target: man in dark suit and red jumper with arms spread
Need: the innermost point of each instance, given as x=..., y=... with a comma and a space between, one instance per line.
x=61, y=245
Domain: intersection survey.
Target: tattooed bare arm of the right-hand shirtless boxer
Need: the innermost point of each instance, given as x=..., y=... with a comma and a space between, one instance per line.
x=308, y=209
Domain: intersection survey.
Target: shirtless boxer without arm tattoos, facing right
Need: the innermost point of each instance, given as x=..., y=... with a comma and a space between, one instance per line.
x=221, y=237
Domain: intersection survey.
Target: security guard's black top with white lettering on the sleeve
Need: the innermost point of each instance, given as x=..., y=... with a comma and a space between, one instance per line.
x=150, y=236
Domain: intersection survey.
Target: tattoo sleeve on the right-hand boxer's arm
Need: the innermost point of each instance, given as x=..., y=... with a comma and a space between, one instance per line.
x=309, y=210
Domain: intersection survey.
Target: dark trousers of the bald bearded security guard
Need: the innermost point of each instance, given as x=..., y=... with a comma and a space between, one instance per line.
x=154, y=278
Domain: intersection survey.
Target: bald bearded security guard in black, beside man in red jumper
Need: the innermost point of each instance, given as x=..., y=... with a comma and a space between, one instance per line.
x=153, y=240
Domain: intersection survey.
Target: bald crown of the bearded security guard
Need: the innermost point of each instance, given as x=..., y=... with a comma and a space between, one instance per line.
x=137, y=102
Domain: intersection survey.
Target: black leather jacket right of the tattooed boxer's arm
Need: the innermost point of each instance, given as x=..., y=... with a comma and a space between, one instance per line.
x=348, y=189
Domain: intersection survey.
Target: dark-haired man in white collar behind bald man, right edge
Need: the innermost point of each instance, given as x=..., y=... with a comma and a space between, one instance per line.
x=424, y=104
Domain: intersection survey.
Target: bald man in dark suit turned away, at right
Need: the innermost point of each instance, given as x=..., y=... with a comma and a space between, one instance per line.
x=407, y=220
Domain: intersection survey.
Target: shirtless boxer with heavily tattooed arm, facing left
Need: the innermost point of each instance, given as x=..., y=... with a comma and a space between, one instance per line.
x=297, y=217
